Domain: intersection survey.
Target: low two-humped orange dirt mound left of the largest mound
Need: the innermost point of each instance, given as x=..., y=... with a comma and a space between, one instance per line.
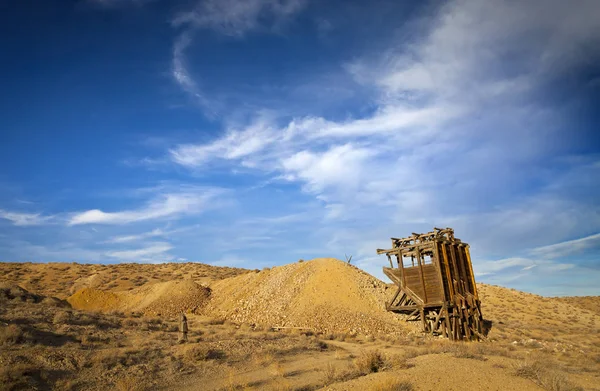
x=161, y=299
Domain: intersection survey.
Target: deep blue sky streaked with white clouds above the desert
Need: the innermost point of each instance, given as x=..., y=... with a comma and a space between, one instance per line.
x=257, y=133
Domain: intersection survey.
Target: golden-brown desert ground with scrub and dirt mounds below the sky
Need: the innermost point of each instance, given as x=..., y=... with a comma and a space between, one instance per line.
x=308, y=325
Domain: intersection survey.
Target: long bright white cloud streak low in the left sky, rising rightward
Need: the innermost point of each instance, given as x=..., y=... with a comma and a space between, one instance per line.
x=167, y=205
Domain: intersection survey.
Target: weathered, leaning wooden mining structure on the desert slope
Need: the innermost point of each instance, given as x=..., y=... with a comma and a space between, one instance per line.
x=436, y=284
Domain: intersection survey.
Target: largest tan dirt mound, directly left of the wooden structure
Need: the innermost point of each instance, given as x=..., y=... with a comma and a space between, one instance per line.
x=325, y=294
